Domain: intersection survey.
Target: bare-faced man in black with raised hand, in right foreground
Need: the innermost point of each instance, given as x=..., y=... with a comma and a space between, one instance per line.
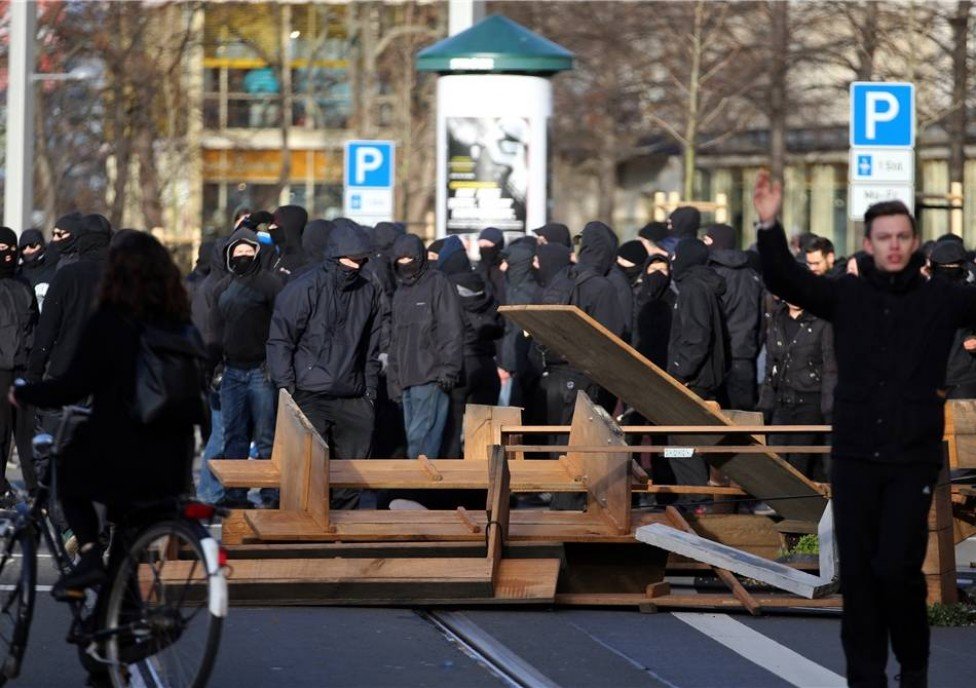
x=893, y=330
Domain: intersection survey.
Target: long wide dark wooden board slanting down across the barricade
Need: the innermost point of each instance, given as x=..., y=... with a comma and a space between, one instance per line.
x=616, y=366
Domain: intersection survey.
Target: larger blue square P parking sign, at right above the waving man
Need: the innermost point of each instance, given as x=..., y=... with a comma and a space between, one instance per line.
x=882, y=114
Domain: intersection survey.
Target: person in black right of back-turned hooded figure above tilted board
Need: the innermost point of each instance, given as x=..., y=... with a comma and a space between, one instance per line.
x=742, y=306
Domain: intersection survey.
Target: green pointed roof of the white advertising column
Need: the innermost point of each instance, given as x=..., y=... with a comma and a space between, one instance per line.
x=495, y=45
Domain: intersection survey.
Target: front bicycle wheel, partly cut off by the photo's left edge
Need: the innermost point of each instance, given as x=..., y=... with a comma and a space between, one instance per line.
x=18, y=575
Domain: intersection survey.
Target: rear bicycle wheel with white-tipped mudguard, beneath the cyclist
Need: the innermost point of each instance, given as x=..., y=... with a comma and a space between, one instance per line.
x=165, y=608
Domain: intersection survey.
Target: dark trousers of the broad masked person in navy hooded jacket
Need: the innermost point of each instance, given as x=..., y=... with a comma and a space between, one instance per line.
x=346, y=424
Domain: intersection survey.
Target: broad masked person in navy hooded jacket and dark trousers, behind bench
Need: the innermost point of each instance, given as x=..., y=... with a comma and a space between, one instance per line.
x=324, y=345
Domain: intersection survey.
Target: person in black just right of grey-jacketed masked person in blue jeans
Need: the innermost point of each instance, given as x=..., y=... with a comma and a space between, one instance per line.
x=483, y=326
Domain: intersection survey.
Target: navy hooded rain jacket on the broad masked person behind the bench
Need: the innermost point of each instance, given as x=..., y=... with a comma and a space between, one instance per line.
x=325, y=334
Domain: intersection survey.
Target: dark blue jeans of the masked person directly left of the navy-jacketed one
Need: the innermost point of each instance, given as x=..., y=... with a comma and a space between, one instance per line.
x=247, y=402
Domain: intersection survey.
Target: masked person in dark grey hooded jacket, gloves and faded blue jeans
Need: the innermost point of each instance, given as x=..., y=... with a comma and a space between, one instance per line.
x=426, y=346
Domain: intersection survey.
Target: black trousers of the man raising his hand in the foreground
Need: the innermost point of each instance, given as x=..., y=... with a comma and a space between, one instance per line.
x=881, y=522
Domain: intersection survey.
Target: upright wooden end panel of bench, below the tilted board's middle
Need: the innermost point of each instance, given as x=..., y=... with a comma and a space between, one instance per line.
x=607, y=475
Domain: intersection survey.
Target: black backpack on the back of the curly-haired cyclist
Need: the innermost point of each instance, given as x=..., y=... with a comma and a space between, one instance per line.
x=170, y=382
